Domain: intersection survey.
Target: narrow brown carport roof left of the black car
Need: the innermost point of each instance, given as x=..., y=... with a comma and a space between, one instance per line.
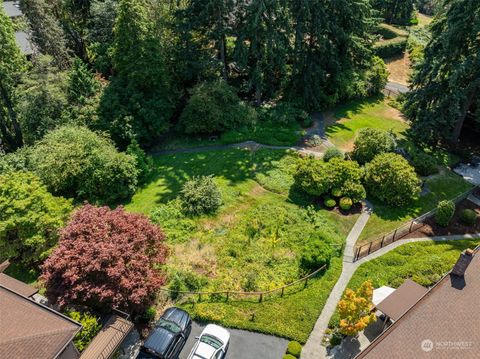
x=108, y=339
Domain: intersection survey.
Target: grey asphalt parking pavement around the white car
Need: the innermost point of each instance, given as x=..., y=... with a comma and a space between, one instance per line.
x=243, y=344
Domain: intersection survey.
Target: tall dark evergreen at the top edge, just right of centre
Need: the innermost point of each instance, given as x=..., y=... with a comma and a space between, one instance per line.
x=262, y=45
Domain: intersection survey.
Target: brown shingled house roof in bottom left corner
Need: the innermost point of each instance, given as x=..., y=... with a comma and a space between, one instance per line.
x=31, y=330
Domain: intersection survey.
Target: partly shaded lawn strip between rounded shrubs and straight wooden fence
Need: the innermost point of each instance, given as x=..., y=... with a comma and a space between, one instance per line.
x=386, y=218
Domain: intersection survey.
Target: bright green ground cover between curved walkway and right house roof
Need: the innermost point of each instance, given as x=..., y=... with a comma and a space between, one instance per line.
x=422, y=262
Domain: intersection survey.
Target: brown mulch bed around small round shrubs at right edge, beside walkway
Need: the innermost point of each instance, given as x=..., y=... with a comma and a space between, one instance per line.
x=431, y=228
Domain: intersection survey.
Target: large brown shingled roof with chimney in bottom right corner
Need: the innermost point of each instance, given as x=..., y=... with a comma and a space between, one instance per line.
x=444, y=323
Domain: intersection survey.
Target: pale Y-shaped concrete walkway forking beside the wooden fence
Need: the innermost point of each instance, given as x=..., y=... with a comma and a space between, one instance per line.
x=314, y=349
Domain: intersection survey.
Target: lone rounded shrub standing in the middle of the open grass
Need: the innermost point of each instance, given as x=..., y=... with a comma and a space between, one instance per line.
x=200, y=195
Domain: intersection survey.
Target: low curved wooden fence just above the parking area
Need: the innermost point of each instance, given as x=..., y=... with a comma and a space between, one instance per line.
x=227, y=295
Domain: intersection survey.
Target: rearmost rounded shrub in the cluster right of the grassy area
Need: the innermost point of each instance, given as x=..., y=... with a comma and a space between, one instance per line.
x=371, y=142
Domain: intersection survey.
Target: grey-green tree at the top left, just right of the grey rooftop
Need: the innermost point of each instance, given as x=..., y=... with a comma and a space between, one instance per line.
x=47, y=33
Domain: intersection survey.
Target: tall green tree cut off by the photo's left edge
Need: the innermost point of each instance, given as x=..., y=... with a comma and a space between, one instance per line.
x=12, y=65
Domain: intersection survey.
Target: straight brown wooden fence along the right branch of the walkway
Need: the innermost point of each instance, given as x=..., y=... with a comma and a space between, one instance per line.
x=407, y=228
